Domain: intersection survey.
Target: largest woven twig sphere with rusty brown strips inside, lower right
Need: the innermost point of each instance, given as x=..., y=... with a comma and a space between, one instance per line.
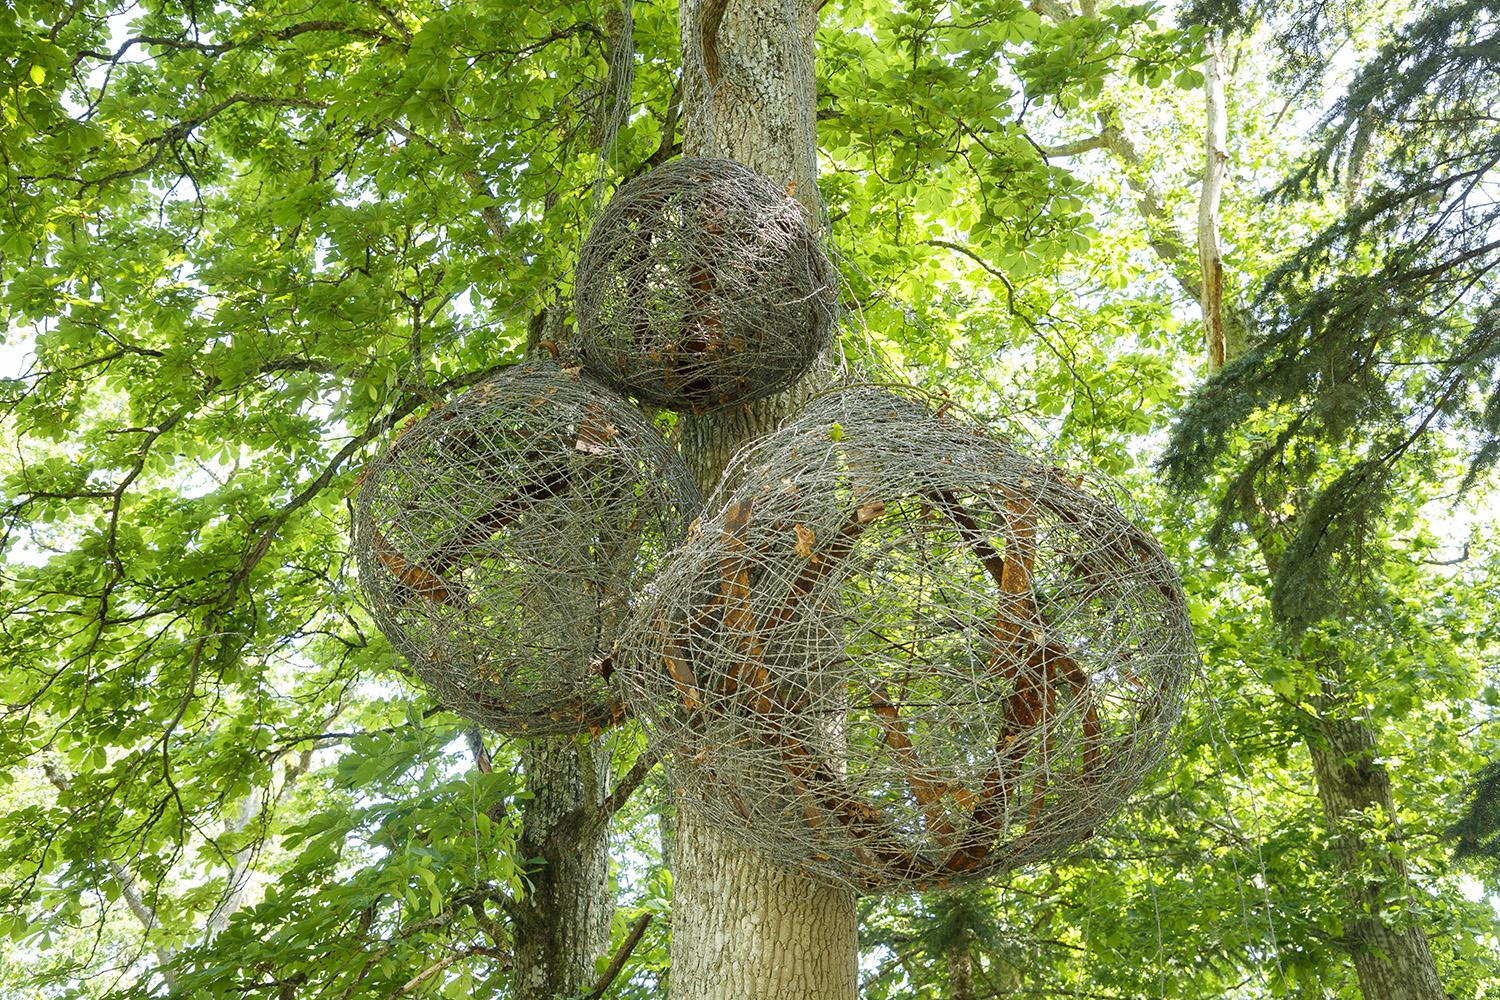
x=905, y=654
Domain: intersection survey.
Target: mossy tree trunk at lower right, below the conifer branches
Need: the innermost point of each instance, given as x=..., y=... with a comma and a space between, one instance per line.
x=1391, y=957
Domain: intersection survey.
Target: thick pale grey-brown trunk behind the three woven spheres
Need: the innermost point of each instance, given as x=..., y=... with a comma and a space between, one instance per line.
x=742, y=927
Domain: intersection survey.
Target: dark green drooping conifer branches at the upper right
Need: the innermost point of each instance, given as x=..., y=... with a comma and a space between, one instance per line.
x=1381, y=332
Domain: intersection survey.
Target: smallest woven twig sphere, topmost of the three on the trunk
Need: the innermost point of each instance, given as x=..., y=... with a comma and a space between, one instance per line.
x=703, y=286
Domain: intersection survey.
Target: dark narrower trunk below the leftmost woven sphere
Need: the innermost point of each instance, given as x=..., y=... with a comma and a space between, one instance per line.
x=563, y=924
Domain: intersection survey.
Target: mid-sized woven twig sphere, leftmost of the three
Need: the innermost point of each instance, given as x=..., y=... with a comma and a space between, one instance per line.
x=503, y=537
